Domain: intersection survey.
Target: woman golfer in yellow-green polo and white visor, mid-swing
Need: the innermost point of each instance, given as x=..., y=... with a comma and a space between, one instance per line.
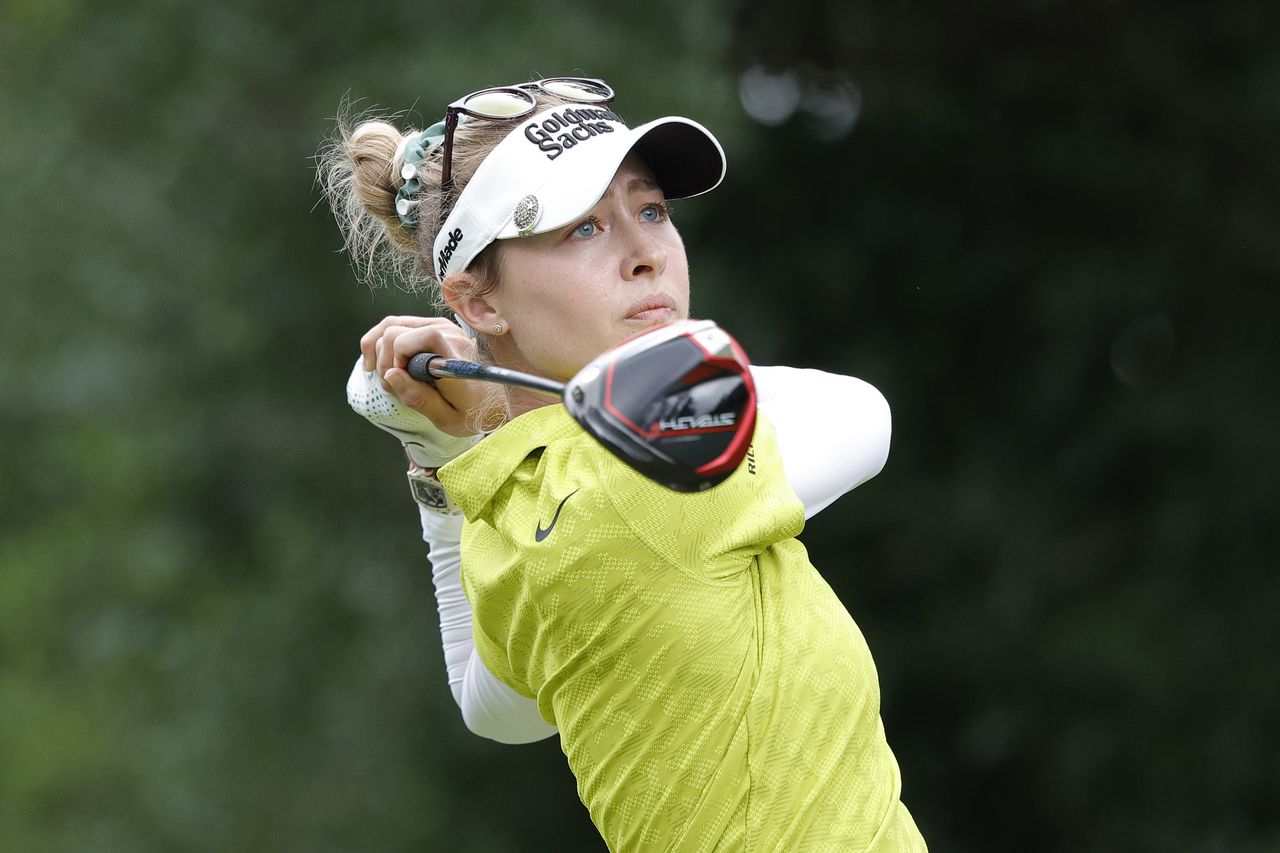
x=708, y=688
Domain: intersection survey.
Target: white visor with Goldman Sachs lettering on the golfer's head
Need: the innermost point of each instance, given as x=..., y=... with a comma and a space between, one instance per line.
x=555, y=166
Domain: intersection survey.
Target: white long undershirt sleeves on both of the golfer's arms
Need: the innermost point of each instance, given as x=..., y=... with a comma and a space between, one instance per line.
x=833, y=435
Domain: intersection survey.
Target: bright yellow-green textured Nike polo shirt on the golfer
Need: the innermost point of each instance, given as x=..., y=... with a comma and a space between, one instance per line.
x=711, y=691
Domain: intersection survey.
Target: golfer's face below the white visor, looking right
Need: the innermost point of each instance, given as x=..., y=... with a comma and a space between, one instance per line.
x=569, y=295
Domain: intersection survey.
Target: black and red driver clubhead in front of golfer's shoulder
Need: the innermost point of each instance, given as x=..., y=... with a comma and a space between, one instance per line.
x=678, y=404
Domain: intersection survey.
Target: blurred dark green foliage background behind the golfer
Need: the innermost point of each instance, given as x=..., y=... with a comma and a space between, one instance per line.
x=1049, y=232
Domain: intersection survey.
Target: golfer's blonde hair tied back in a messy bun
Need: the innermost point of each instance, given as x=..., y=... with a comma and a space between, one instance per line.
x=360, y=172
